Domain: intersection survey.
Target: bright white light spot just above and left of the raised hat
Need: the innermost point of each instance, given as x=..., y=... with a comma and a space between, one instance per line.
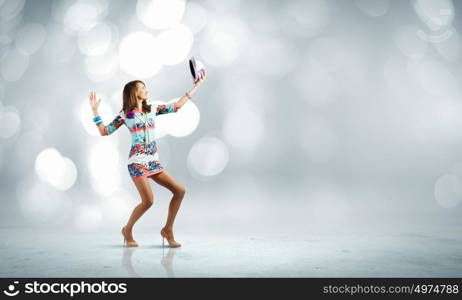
x=175, y=43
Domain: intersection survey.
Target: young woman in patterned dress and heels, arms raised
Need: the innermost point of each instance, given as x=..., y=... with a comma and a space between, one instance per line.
x=143, y=159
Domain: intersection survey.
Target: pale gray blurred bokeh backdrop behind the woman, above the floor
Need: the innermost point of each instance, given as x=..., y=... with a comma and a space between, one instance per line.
x=315, y=115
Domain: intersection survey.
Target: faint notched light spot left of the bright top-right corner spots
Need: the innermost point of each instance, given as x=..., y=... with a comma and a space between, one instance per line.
x=408, y=41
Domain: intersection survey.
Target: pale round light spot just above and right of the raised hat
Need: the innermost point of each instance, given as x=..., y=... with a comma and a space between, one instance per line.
x=225, y=37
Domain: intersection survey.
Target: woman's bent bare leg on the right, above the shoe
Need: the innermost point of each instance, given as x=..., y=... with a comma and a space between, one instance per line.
x=166, y=180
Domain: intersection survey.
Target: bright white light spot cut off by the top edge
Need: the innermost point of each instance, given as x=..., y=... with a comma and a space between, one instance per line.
x=160, y=14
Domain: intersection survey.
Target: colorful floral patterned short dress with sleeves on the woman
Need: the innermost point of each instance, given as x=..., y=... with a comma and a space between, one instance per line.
x=143, y=158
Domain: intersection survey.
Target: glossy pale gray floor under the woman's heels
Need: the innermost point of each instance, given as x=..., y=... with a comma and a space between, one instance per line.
x=347, y=253
